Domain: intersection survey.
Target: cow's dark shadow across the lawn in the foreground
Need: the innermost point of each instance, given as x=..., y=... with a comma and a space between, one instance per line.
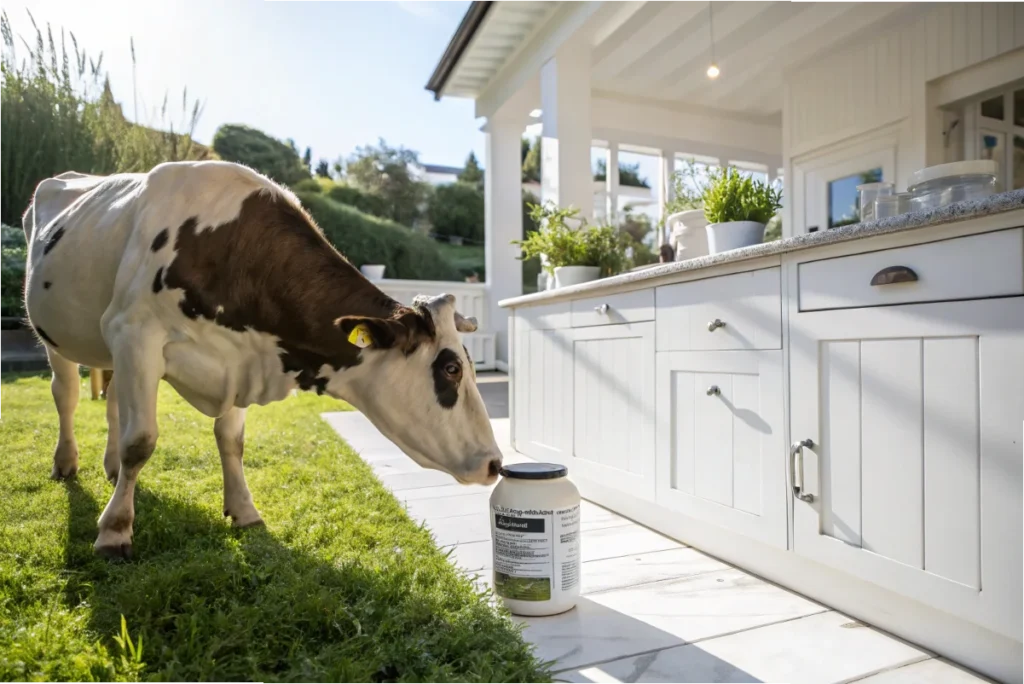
x=220, y=605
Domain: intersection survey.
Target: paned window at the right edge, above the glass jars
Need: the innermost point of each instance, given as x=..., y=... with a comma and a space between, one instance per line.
x=995, y=130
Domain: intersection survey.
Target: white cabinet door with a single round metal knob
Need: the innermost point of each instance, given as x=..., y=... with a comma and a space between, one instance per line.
x=721, y=449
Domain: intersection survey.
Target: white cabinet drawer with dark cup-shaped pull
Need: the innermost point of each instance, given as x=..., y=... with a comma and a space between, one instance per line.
x=974, y=268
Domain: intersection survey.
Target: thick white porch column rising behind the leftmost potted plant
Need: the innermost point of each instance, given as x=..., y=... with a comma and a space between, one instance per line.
x=567, y=178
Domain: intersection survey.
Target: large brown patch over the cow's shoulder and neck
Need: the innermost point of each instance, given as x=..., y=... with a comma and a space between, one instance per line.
x=273, y=272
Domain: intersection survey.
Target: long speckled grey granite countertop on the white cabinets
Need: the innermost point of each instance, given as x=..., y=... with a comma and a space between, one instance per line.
x=961, y=211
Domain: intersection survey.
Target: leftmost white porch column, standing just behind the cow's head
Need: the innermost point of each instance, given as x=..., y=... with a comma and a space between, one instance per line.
x=503, y=224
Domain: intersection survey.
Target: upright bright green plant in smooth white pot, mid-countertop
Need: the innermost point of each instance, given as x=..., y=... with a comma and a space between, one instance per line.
x=738, y=209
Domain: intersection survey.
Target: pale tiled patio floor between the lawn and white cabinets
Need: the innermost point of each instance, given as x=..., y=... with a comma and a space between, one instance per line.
x=653, y=610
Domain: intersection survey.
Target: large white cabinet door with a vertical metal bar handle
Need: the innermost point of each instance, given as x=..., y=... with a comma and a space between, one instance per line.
x=917, y=468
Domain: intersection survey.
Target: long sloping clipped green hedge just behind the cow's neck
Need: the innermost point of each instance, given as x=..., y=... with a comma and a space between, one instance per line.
x=369, y=240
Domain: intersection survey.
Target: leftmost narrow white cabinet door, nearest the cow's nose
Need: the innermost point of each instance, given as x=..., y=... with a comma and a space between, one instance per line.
x=543, y=397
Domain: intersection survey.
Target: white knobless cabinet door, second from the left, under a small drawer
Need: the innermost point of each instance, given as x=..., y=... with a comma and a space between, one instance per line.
x=614, y=407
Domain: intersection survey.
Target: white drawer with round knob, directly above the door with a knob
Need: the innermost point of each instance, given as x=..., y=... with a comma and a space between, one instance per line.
x=741, y=312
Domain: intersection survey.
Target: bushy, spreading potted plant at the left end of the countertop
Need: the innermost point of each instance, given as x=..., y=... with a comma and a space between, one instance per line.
x=573, y=254
